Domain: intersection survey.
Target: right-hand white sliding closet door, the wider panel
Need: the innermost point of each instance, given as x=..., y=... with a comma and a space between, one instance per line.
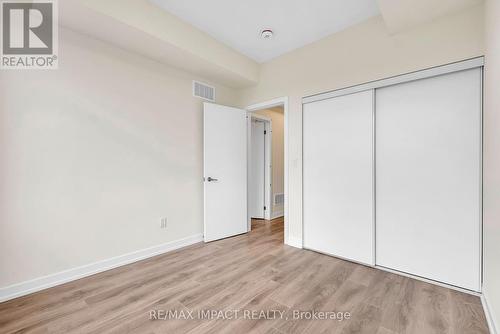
x=428, y=204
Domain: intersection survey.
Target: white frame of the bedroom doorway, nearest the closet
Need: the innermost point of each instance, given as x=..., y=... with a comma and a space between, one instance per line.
x=280, y=101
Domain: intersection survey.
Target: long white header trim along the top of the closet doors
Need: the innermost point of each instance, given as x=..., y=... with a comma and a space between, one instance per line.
x=427, y=73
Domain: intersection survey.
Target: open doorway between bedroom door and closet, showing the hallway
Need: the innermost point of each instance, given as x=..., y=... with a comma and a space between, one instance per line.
x=266, y=164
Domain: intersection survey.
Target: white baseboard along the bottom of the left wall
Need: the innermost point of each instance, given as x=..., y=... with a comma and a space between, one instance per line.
x=41, y=283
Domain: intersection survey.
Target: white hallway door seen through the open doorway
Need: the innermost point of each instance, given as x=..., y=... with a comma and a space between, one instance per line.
x=257, y=170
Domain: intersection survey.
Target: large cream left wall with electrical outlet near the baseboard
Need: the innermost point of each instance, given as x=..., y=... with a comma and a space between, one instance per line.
x=92, y=155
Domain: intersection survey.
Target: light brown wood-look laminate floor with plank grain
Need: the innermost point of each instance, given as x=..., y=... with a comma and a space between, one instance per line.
x=249, y=272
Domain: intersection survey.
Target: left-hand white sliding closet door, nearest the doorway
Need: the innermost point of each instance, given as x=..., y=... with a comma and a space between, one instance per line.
x=338, y=176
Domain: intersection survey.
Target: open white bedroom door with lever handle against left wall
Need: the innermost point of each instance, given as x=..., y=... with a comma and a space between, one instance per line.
x=225, y=171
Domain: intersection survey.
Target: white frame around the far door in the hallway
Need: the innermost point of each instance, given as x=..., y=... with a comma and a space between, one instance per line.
x=268, y=156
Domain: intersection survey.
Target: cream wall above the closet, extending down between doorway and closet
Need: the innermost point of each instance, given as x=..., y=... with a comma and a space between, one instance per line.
x=358, y=54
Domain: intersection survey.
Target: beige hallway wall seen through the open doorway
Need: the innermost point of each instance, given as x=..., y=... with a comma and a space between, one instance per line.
x=278, y=151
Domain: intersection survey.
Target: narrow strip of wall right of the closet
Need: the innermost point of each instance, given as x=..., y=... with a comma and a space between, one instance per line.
x=492, y=161
